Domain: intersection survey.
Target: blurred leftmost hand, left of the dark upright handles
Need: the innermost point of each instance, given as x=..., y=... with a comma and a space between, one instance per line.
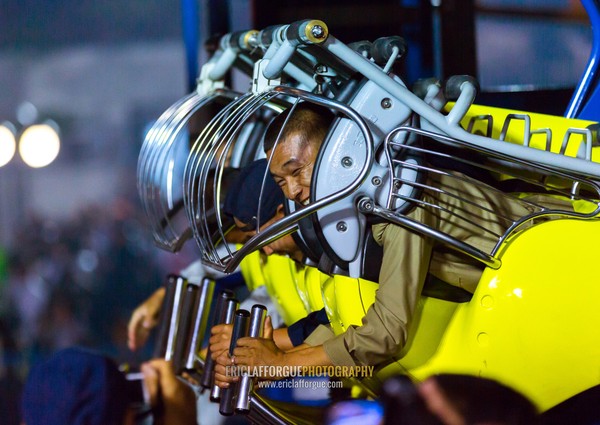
x=144, y=318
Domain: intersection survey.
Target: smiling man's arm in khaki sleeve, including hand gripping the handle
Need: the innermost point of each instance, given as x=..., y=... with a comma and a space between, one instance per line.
x=384, y=328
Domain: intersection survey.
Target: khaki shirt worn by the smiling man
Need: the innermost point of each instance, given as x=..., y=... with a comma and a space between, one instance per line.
x=409, y=256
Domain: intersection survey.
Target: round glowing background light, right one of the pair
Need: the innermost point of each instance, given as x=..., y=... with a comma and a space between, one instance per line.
x=39, y=145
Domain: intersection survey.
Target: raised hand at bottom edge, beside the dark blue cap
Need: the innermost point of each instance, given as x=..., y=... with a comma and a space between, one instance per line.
x=172, y=401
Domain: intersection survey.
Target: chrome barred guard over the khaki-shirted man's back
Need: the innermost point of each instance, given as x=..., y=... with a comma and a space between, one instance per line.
x=544, y=179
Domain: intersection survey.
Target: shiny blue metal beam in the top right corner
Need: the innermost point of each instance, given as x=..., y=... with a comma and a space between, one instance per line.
x=585, y=103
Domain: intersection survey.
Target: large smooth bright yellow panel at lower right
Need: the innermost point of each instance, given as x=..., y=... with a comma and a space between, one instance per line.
x=534, y=324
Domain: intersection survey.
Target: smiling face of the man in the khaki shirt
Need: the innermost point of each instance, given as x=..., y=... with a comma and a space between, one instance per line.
x=292, y=163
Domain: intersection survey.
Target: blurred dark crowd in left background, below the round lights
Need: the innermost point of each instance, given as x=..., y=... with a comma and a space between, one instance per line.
x=74, y=282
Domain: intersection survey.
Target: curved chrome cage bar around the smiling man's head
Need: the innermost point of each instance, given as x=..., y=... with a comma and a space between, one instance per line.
x=210, y=153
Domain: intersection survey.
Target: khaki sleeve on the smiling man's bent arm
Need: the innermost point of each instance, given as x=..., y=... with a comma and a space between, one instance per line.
x=383, y=332
